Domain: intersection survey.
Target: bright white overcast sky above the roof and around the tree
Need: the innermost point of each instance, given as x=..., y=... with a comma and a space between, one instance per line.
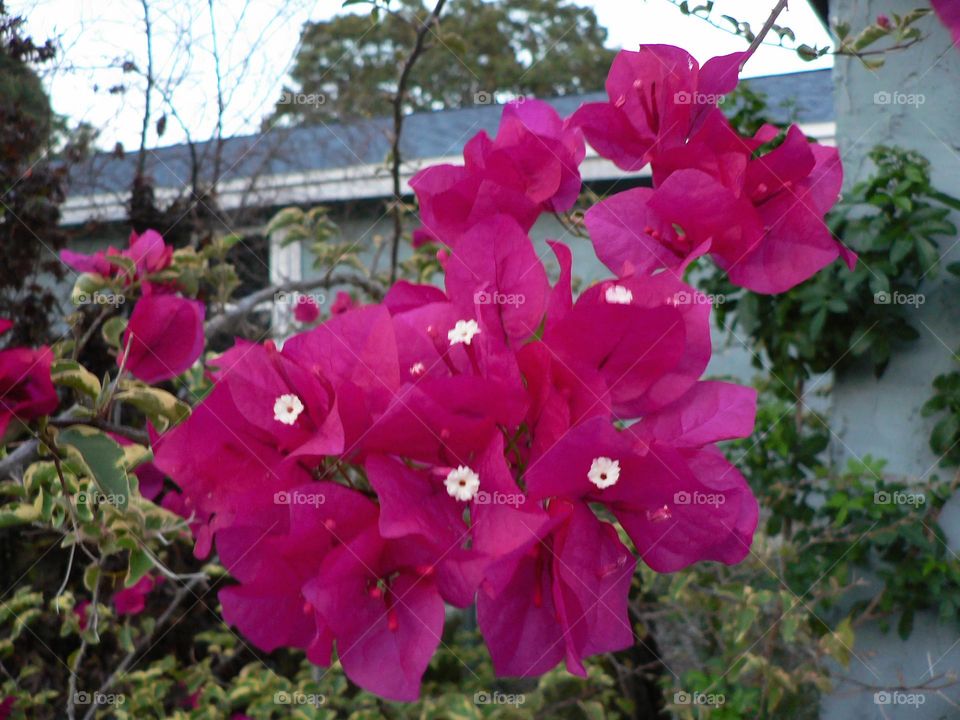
x=257, y=42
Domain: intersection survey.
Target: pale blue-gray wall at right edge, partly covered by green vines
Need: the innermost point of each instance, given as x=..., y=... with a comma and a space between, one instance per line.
x=882, y=417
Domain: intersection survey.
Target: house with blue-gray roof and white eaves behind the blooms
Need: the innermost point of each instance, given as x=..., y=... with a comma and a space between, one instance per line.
x=343, y=166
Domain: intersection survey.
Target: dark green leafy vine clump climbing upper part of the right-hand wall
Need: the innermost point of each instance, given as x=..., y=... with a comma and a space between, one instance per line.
x=893, y=221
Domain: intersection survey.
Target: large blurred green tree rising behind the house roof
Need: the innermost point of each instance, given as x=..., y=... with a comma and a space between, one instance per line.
x=524, y=47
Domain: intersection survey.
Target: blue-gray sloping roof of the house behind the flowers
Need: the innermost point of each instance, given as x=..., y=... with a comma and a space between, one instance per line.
x=361, y=142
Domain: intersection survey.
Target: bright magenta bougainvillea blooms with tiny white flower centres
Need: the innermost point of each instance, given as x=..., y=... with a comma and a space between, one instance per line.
x=495, y=441
